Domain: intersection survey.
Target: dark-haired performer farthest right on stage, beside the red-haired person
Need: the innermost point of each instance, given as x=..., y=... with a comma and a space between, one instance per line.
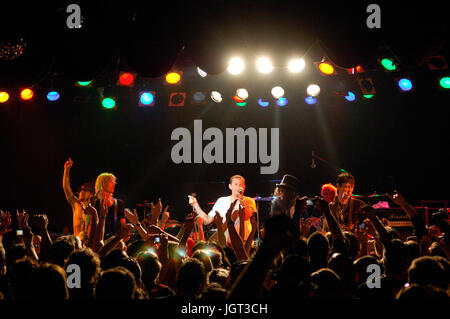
x=345, y=208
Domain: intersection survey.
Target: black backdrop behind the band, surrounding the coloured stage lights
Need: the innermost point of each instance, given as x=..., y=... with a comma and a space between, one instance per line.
x=393, y=141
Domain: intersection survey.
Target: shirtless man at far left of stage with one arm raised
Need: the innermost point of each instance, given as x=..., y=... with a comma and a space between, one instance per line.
x=79, y=203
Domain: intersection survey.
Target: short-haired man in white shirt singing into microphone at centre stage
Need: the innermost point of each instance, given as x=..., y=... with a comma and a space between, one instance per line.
x=237, y=187
